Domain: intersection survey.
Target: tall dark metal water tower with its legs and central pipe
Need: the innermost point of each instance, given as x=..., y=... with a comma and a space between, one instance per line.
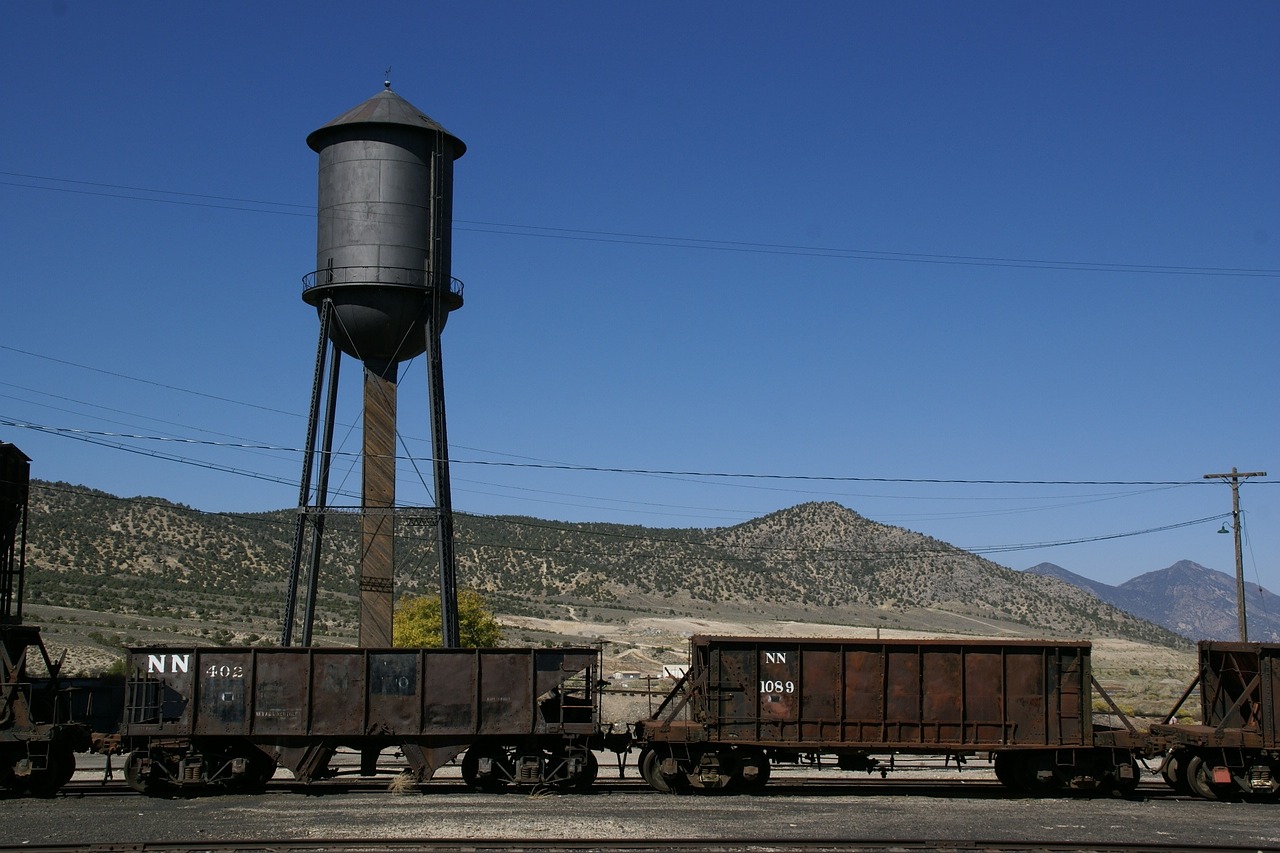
x=383, y=290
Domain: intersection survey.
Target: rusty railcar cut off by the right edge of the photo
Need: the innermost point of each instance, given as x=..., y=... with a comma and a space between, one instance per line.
x=1235, y=749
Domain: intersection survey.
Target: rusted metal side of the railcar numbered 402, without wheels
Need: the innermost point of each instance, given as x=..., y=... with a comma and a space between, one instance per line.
x=275, y=694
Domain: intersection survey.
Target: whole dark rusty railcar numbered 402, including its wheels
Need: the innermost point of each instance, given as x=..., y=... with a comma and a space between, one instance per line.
x=230, y=717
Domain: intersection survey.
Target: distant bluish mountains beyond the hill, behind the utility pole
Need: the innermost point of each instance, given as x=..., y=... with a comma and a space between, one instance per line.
x=1187, y=599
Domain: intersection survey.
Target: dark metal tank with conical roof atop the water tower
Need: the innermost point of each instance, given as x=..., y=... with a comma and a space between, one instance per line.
x=385, y=231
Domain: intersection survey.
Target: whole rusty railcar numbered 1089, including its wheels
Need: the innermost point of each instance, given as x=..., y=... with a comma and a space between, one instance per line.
x=748, y=704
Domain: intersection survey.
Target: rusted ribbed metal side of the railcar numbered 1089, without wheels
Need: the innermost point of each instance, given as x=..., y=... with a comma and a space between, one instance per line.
x=892, y=694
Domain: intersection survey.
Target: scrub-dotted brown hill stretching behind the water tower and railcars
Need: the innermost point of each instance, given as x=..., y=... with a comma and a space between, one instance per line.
x=148, y=558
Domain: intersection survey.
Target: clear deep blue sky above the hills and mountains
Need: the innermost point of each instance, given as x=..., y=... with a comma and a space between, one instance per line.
x=985, y=241
